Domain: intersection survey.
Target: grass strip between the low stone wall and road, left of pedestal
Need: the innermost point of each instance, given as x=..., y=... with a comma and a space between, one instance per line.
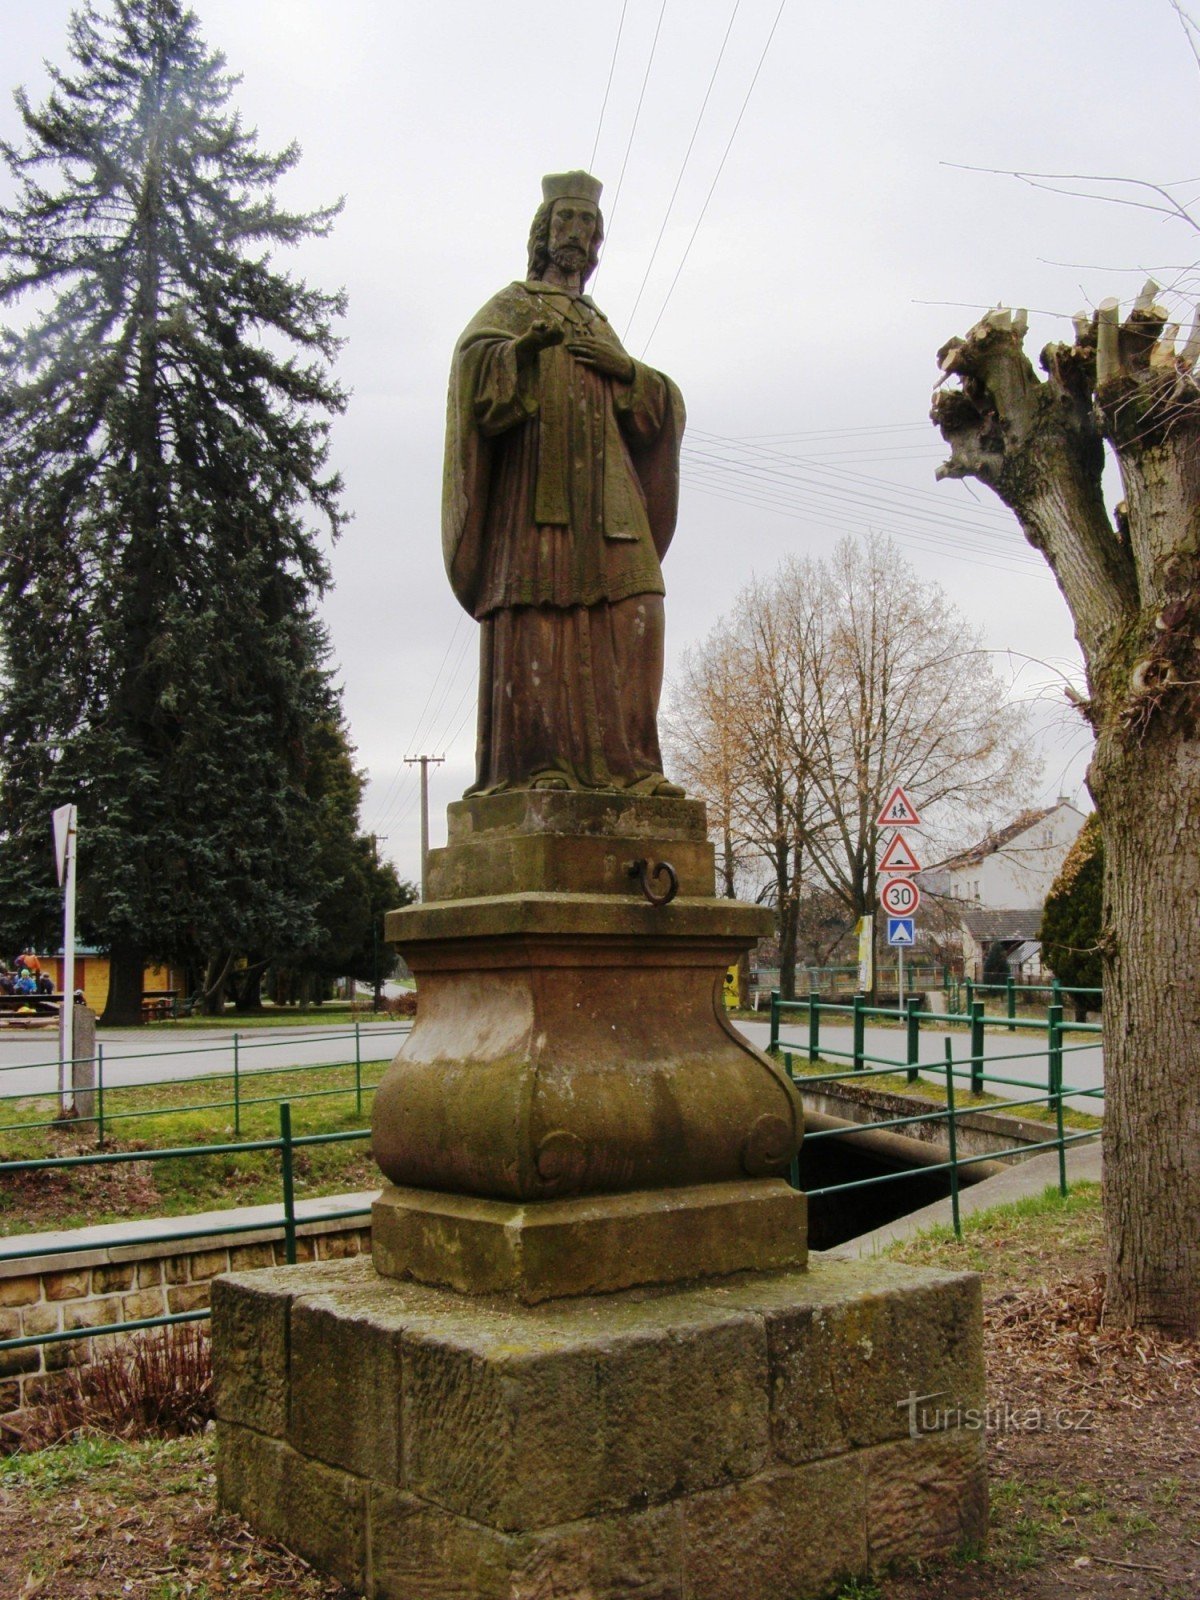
x=324, y=1100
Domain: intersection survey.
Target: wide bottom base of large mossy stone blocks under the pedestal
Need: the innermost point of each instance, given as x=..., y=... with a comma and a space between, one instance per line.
x=750, y=1441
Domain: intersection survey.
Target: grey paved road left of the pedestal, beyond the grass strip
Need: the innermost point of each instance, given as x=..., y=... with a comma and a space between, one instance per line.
x=30, y=1062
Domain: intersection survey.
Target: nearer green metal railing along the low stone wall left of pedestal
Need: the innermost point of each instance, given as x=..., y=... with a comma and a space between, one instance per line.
x=287, y=1226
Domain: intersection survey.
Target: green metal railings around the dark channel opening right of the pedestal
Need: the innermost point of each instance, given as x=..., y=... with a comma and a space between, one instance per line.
x=975, y=1068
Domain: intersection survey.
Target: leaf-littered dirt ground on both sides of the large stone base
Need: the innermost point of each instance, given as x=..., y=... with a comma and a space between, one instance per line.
x=1094, y=1442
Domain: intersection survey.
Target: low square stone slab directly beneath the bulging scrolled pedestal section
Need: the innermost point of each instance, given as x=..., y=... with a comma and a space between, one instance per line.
x=588, y=1246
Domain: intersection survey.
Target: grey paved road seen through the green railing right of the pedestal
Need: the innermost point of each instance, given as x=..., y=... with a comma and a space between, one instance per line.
x=1082, y=1063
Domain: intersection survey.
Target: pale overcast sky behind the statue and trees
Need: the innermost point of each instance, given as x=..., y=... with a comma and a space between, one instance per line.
x=801, y=318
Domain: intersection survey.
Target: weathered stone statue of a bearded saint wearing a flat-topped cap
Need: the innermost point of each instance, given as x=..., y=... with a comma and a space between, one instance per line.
x=561, y=497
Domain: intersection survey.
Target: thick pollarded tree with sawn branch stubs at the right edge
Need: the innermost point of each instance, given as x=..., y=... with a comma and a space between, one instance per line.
x=1134, y=590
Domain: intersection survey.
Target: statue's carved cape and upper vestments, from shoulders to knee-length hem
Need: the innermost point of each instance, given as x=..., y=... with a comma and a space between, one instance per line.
x=594, y=452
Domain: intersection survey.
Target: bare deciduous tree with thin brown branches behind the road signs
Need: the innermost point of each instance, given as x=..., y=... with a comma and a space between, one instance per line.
x=826, y=687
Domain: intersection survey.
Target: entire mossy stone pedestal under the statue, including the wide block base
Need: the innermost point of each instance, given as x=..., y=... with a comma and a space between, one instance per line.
x=586, y=1361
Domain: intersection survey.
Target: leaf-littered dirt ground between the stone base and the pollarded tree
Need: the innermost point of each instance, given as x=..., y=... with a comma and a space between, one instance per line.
x=1094, y=1434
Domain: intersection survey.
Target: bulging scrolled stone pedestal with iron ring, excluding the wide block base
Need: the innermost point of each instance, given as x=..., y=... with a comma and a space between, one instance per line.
x=572, y=1044
